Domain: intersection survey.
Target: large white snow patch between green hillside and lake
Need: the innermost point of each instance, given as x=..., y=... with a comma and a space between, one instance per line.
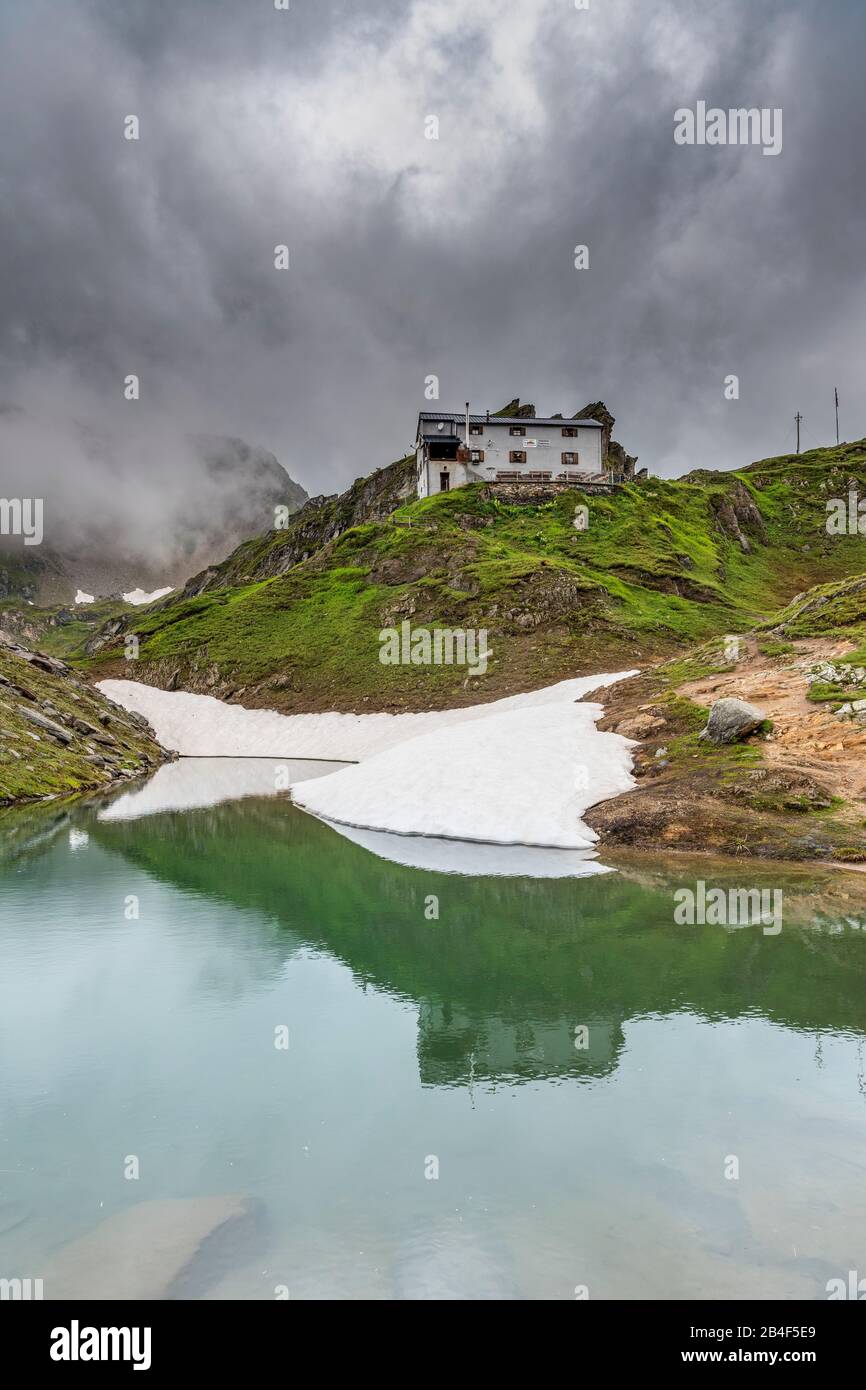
x=516, y=772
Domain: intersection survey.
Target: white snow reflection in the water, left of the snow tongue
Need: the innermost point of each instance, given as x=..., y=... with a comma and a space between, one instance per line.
x=194, y=783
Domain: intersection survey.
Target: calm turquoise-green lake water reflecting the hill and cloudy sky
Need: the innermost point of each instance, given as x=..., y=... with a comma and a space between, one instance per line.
x=420, y=1043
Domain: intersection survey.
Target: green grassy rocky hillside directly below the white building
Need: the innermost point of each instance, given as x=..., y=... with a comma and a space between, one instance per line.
x=660, y=566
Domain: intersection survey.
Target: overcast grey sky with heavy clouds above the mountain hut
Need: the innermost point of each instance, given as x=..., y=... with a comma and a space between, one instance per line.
x=412, y=256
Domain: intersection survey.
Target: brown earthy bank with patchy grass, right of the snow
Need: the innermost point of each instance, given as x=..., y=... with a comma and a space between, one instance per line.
x=797, y=793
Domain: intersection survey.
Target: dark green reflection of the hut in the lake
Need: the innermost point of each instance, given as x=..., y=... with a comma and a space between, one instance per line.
x=457, y=1047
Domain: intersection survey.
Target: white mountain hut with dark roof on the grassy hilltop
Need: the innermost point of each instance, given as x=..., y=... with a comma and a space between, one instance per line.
x=458, y=448
